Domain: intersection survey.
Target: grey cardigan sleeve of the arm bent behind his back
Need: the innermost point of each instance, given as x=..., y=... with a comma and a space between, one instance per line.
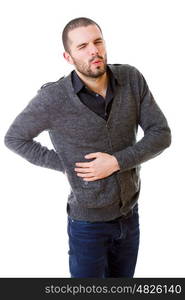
x=19, y=138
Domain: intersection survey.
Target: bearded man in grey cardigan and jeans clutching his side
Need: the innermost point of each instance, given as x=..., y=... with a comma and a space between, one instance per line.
x=92, y=116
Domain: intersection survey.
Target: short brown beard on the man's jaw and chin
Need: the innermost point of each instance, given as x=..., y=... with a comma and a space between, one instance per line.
x=86, y=70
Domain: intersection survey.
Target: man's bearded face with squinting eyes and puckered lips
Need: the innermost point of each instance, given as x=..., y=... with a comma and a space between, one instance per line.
x=87, y=51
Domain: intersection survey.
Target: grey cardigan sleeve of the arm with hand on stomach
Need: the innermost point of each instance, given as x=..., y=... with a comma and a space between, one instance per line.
x=157, y=134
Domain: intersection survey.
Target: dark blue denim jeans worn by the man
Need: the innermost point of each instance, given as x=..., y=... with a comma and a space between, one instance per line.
x=103, y=249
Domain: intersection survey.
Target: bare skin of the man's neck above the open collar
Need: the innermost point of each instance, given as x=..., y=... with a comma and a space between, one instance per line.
x=98, y=85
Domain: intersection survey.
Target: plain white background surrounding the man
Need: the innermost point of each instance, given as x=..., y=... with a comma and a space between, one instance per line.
x=148, y=34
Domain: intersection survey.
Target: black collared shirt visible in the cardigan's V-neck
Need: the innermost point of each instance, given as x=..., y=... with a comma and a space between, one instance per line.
x=94, y=101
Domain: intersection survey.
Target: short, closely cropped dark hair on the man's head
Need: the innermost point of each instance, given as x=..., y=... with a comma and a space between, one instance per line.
x=75, y=23
